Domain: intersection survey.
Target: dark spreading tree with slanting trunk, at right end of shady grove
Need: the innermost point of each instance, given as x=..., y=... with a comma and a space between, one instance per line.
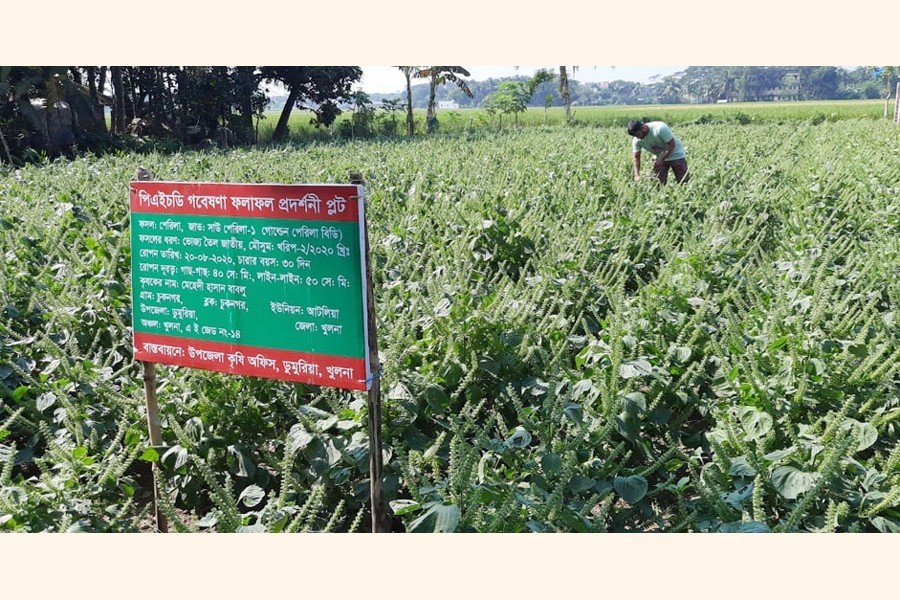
x=322, y=86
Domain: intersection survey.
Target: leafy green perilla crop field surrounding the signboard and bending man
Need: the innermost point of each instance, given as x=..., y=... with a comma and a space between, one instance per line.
x=563, y=349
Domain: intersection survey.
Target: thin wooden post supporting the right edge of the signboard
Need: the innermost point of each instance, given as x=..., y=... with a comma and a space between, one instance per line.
x=380, y=522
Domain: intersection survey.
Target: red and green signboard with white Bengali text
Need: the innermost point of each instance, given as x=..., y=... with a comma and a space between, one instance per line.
x=252, y=279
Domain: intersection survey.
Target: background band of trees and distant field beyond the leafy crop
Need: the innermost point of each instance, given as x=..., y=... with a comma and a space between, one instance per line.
x=51, y=111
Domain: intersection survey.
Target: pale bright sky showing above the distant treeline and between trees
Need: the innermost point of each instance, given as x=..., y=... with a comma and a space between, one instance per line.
x=389, y=80
